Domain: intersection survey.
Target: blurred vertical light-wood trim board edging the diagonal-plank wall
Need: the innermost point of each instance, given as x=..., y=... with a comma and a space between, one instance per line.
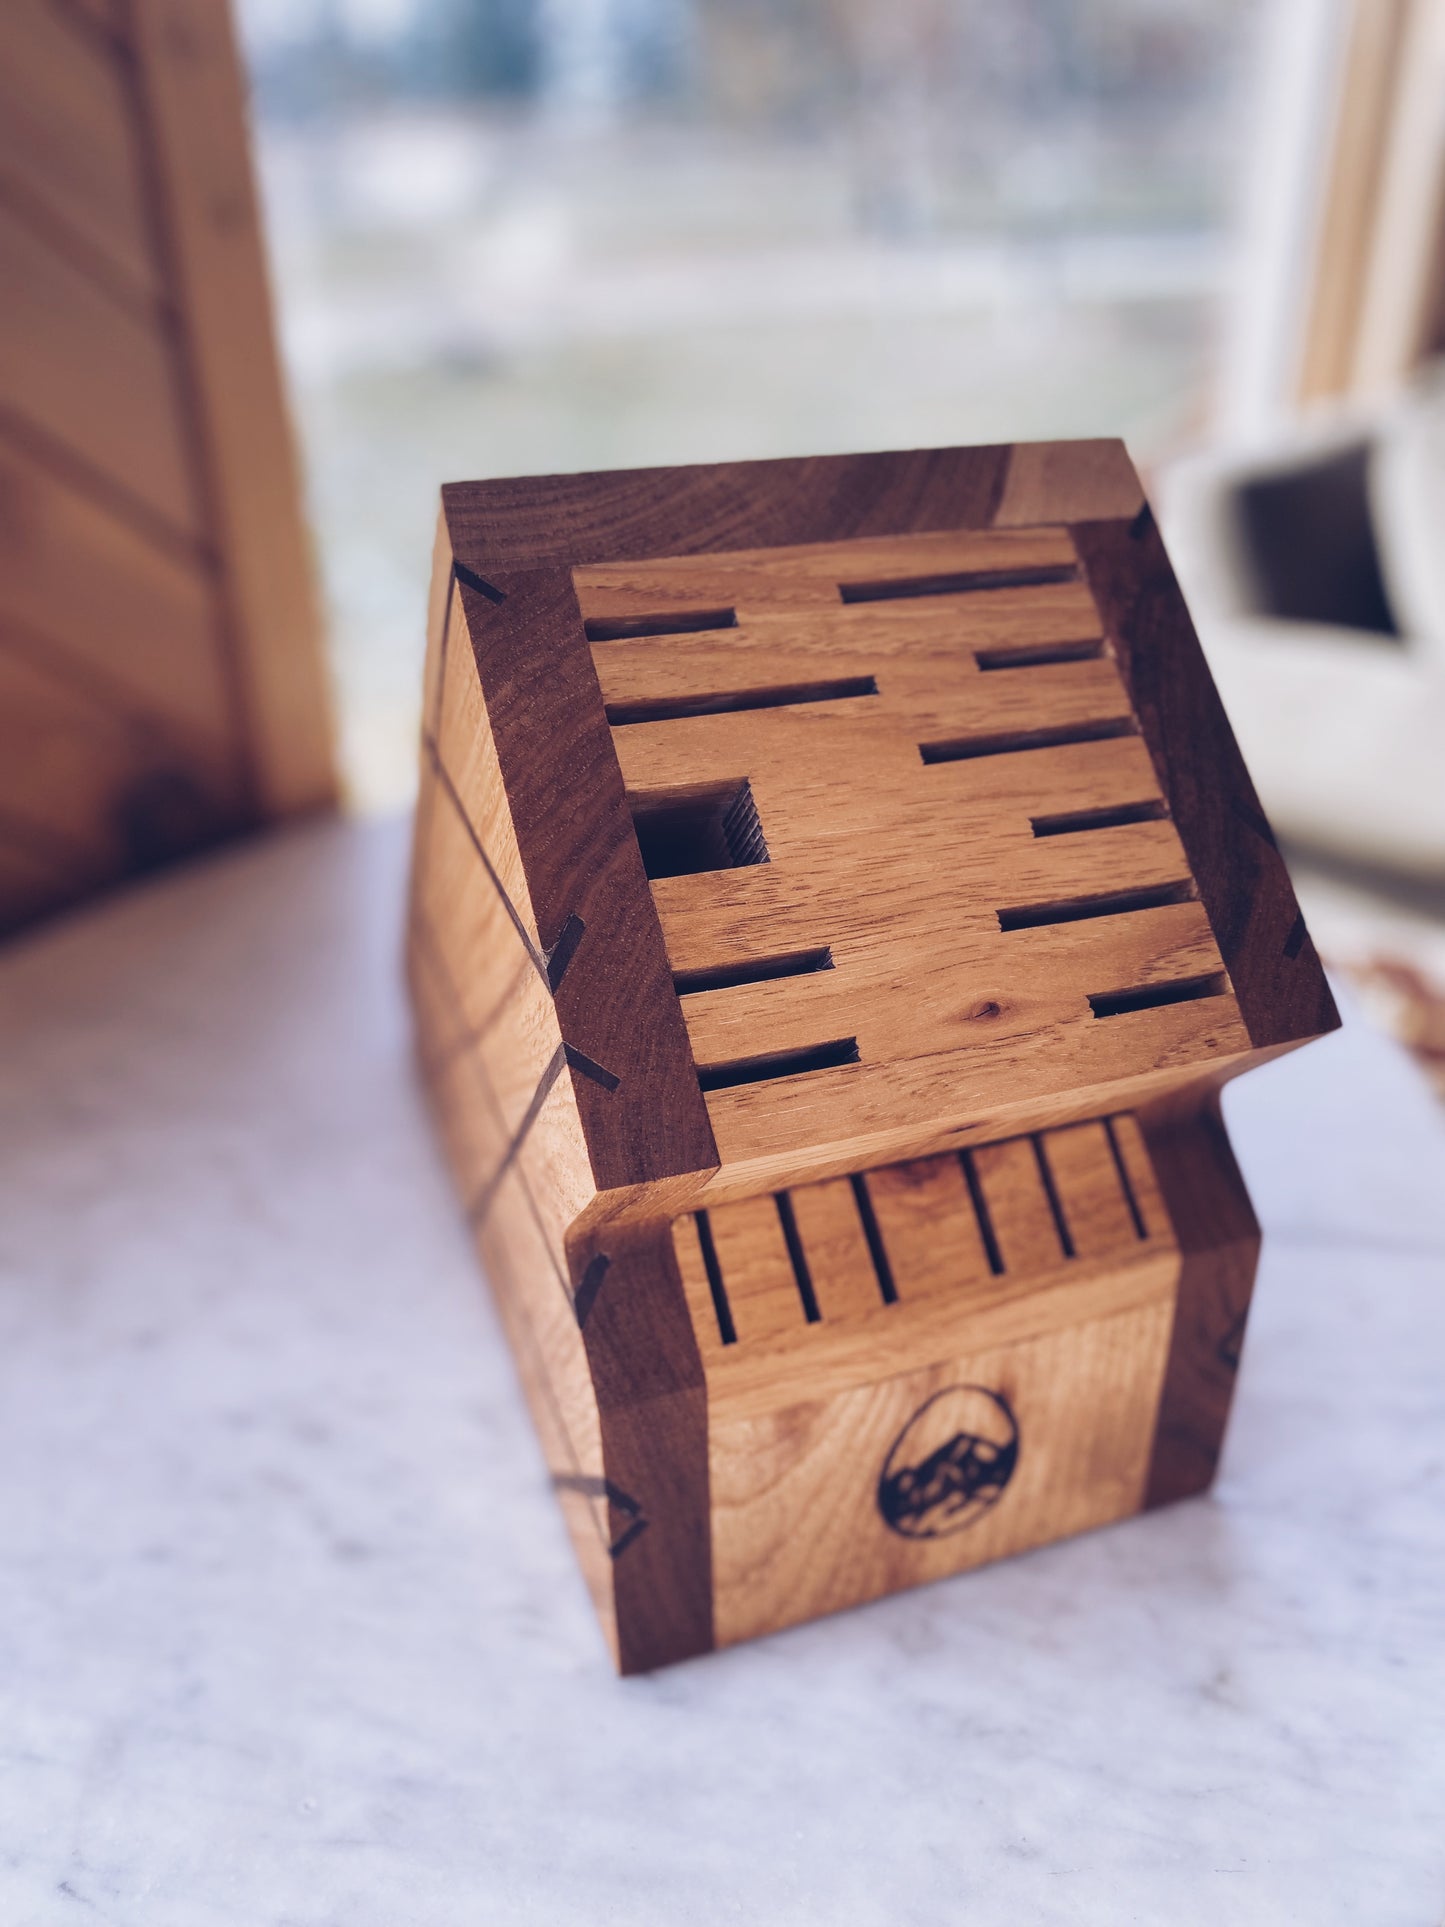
x=194, y=97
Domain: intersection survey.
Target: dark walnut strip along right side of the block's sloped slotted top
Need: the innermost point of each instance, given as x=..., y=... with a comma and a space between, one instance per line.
x=1242, y=878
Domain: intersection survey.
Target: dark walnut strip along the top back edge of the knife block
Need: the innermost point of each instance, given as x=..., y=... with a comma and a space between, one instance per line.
x=637, y=514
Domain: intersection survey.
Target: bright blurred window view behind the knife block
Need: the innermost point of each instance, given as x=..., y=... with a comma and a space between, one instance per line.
x=517, y=236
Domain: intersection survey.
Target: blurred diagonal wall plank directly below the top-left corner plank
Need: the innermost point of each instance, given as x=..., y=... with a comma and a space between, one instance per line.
x=99, y=381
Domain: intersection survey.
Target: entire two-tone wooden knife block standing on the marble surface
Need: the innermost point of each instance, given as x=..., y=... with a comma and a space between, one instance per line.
x=837, y=905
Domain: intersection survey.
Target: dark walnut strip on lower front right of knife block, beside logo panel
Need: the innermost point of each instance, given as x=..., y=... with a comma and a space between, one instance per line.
x=1221, y=1250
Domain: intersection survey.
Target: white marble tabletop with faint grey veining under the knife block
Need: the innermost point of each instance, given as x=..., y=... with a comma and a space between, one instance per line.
x=290, y=1631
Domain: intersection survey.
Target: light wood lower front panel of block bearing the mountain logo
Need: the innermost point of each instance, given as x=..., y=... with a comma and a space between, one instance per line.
x=799, y=1525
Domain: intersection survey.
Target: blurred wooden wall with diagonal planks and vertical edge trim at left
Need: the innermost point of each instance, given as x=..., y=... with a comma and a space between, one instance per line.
x=161, y=654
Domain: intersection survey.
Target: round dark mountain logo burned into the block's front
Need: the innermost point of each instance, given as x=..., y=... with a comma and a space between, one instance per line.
x=951, y=1464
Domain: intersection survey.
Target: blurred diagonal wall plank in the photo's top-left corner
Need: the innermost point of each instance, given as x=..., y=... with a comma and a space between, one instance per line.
x=72, y=151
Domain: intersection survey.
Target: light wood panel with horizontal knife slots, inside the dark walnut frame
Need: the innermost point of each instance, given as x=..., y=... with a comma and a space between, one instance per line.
x=964, y=928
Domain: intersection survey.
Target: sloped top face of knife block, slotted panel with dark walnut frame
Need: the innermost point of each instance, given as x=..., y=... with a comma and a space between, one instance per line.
x=874, y=805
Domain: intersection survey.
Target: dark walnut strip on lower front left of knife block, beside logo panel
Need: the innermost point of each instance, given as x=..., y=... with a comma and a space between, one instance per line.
x=652, y=1406
